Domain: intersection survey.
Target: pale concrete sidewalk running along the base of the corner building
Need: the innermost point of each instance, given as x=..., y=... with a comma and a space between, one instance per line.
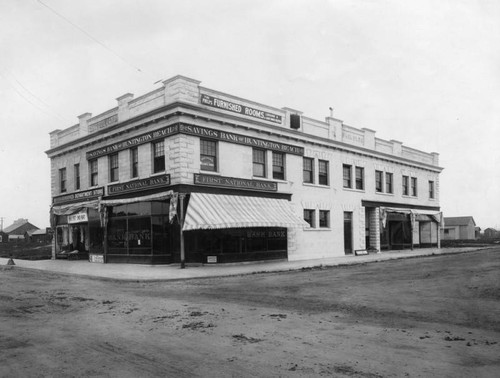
x=136, y=272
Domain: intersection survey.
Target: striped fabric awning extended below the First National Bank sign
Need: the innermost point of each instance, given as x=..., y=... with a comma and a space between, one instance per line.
x=213, y=211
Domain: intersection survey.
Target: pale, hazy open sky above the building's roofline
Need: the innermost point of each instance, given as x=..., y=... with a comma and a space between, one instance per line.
x=424, y=72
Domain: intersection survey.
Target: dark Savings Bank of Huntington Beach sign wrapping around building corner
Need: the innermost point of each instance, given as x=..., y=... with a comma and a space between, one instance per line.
x=197, y=131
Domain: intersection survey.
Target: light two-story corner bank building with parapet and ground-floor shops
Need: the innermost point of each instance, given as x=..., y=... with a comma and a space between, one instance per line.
x=189, y=174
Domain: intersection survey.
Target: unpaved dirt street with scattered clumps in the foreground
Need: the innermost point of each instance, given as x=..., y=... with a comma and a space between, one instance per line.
x=426, y=317
